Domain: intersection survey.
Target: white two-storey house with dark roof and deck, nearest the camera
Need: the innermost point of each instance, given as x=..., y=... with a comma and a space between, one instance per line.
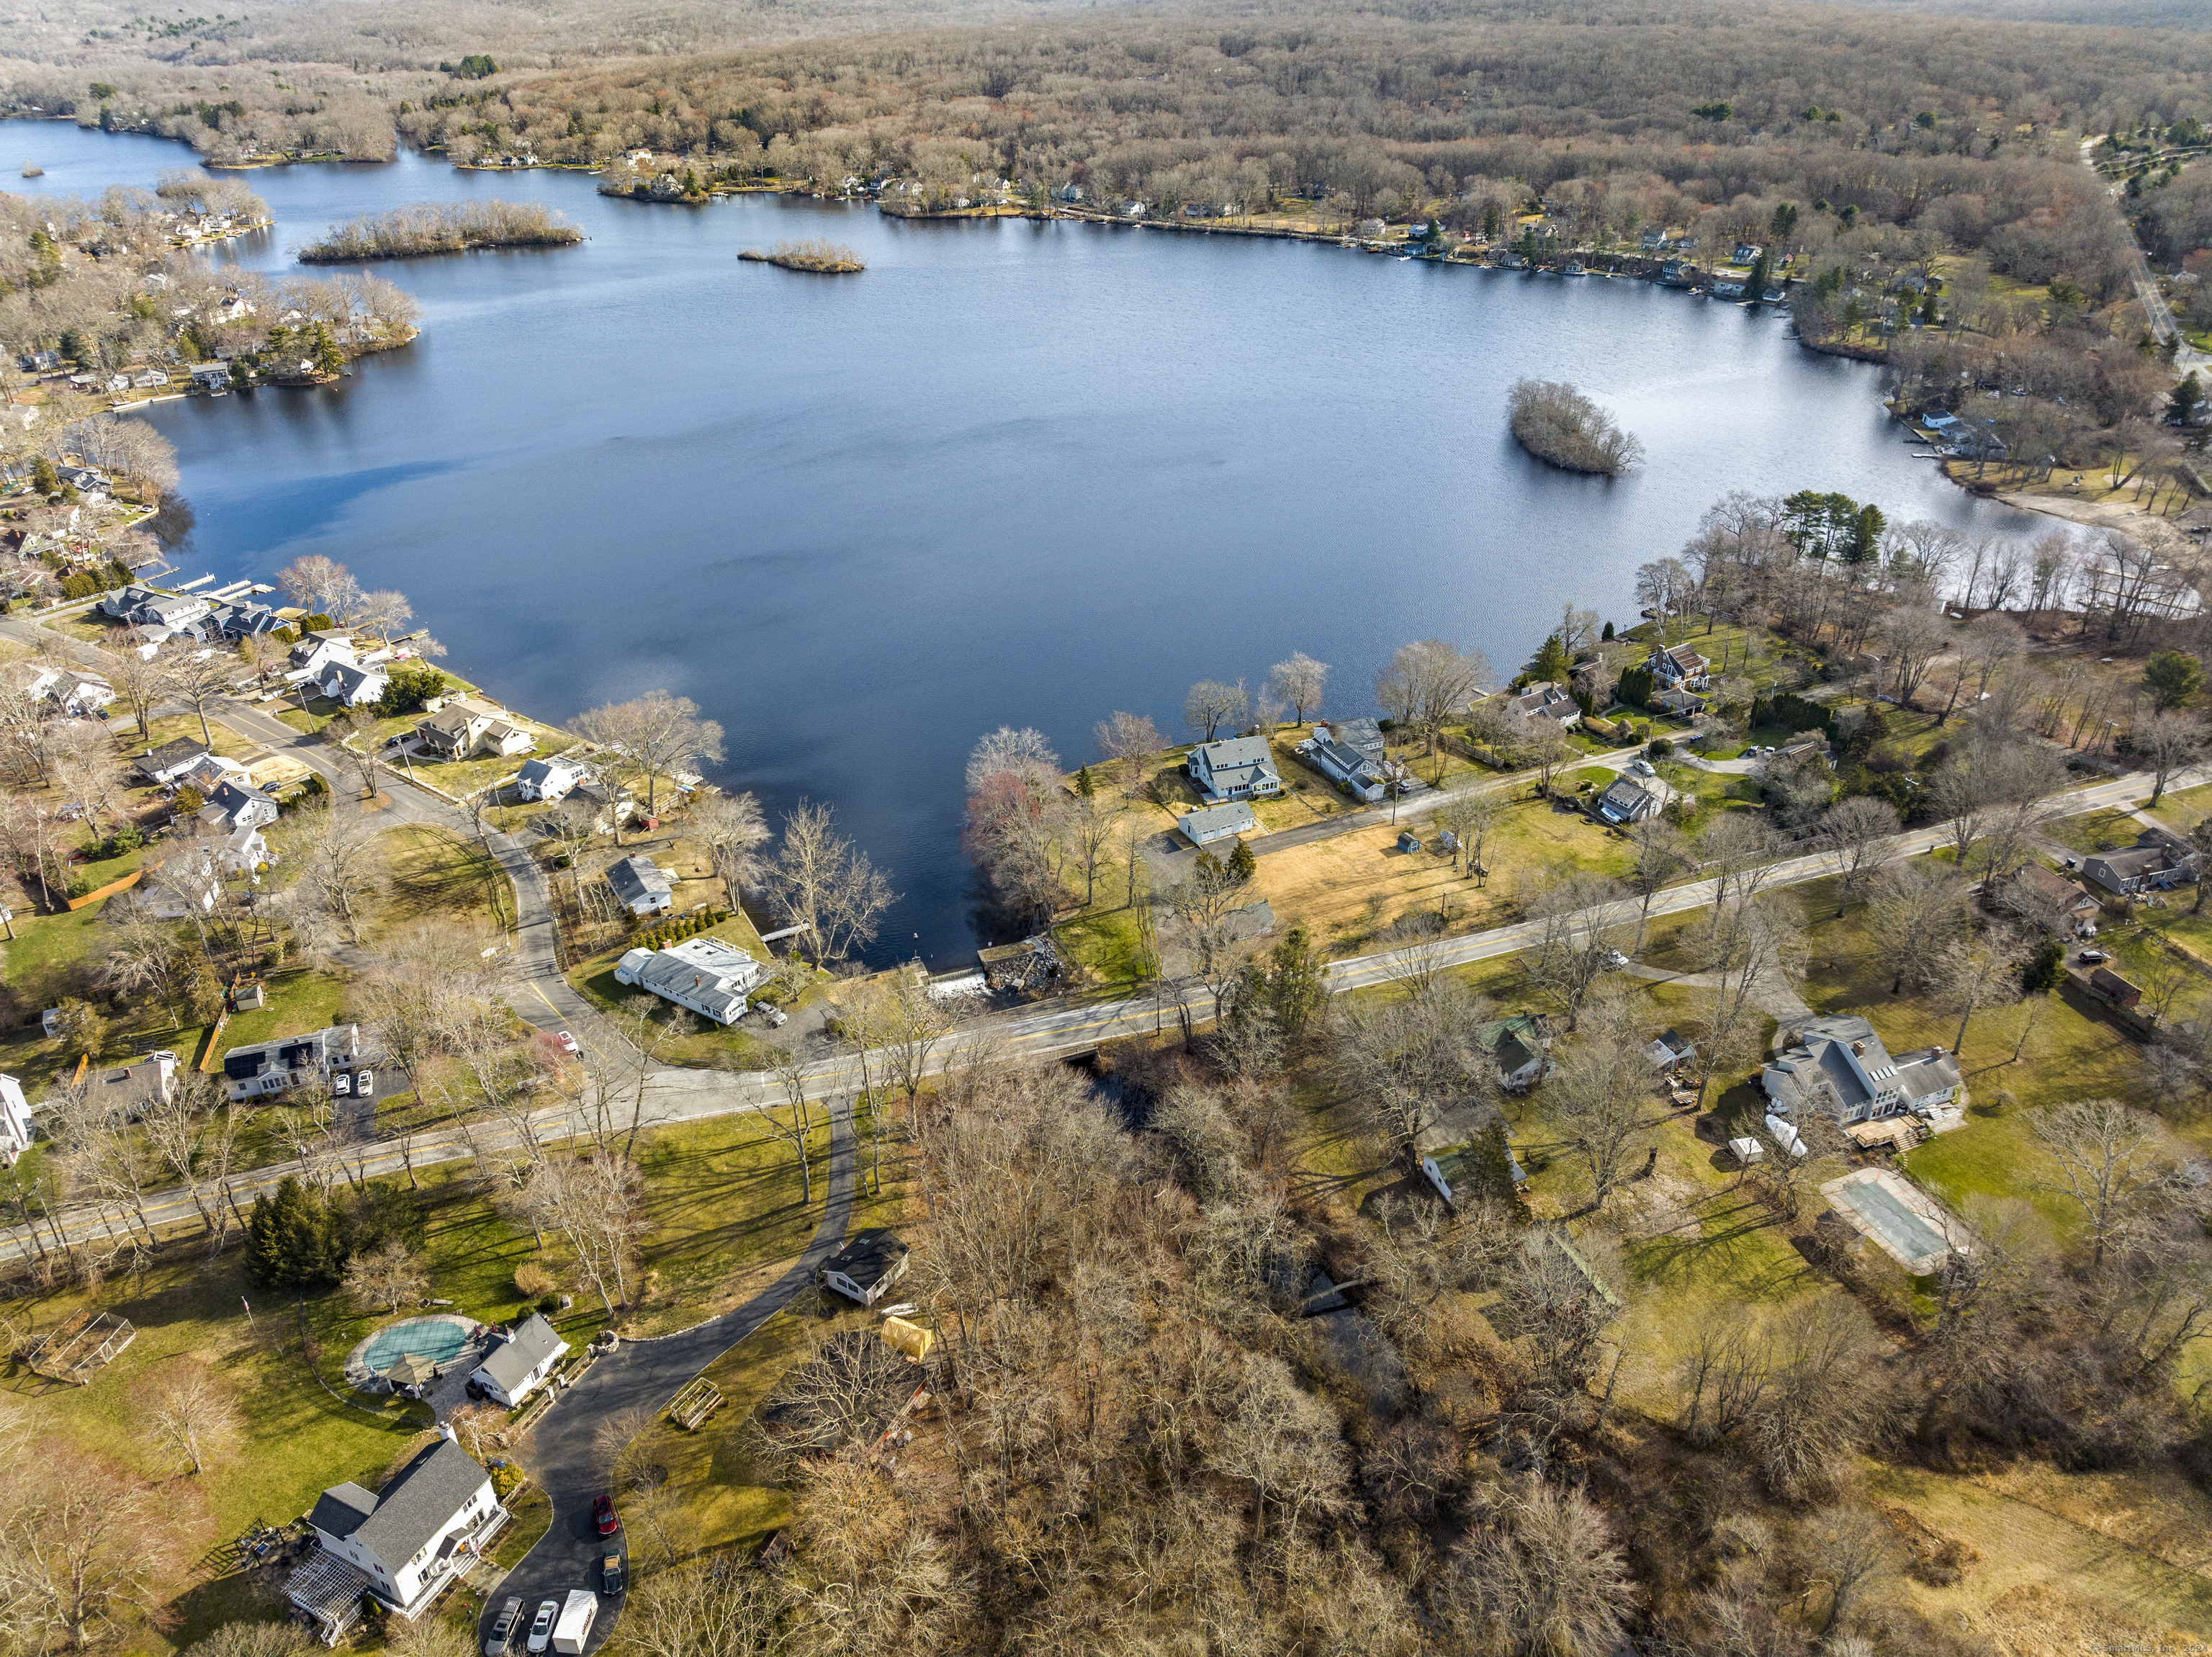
x=401, y=1545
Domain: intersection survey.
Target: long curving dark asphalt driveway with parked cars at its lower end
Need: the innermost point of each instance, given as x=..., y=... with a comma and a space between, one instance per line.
x=645, y=1373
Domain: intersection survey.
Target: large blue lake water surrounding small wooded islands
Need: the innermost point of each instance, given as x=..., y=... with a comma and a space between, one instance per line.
x=1014, y=475
